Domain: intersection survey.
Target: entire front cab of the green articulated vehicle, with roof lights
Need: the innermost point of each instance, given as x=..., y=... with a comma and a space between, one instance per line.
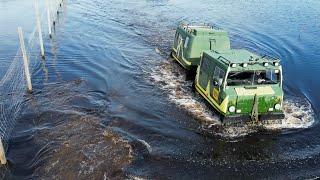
x=241, y=85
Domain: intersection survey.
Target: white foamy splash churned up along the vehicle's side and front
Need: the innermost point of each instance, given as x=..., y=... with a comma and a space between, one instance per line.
x=169, y=76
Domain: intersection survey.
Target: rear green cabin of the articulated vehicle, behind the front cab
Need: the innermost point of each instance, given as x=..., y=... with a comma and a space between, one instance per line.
x=190, y=41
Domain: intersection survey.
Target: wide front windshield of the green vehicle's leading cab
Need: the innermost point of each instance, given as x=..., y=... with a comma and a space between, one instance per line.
x=253, y=77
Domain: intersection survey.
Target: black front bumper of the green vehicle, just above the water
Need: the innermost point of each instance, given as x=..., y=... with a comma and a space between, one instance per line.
x=235, y=119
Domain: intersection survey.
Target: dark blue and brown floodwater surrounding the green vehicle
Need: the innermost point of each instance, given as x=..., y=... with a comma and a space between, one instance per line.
x=108, y=102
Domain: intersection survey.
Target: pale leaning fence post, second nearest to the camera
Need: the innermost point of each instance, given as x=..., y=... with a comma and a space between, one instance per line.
x=25, y=60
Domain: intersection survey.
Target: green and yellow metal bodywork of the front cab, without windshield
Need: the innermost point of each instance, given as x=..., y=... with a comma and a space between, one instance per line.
x=223, y=96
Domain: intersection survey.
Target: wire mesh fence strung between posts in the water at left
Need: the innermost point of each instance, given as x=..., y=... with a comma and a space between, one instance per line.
x=13, y=87
